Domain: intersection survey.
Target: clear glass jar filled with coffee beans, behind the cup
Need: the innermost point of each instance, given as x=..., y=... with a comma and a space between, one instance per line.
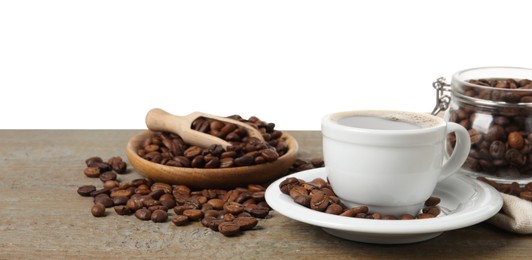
x=495, y=105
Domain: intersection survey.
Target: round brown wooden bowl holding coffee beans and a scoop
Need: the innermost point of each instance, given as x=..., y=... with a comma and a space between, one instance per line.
x=212, y=178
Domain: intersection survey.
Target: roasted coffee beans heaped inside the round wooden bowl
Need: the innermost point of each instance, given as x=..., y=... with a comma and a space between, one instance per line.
x=170, y=149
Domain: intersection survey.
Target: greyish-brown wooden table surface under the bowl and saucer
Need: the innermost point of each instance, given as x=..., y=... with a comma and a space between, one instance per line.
x=42, y=216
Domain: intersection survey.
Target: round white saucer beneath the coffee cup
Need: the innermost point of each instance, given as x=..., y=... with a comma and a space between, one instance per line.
x=464, y=202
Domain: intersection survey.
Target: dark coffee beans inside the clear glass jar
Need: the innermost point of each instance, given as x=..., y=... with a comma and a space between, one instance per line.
x=501, y=141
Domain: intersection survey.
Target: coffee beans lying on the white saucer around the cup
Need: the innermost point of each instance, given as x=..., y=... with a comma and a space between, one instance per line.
x=318, y=195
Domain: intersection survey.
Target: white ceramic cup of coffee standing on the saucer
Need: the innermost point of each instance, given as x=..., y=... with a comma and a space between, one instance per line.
x=389, y=161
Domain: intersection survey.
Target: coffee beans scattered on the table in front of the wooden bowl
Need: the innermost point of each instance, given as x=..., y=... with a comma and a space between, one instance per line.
x=226, y=211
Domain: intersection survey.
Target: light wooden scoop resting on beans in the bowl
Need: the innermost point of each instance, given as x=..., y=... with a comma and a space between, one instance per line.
x=160, y=120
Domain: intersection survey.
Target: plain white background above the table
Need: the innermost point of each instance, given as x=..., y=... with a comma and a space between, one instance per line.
x=104, y=64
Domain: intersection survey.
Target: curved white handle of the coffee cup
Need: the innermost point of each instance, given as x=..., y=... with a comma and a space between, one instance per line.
x=460, y=152
